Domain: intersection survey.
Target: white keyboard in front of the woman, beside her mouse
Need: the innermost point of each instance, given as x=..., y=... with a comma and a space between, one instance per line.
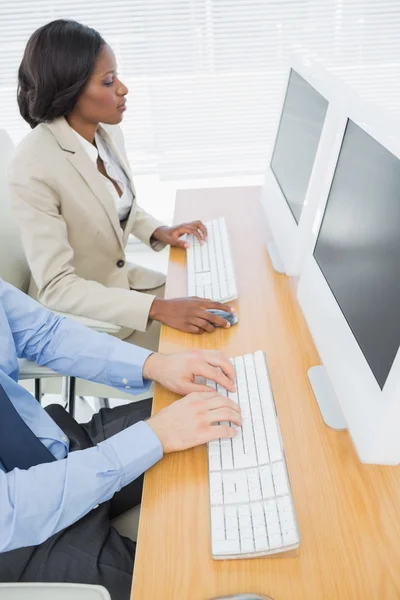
x=209, y=266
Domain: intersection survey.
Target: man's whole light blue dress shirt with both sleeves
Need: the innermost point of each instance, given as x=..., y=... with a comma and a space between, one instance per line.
x=39, y=502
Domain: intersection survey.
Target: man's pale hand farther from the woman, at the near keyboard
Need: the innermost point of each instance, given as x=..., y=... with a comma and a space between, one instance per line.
x=190, y=421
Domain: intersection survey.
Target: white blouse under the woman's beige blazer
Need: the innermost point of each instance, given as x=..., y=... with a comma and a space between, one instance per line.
x=113, y=169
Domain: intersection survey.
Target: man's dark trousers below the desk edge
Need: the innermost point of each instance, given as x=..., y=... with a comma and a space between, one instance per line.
x=91, y=550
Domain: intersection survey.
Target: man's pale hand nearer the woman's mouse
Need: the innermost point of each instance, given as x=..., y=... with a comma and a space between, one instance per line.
x=177, y=372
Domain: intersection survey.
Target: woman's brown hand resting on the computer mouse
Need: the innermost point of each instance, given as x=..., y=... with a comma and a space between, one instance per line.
x=189, y=314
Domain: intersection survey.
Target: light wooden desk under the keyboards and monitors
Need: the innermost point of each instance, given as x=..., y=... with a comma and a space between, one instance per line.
x=349, y=513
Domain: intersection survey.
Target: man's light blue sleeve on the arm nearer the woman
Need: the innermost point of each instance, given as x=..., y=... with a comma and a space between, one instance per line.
x=70, y=348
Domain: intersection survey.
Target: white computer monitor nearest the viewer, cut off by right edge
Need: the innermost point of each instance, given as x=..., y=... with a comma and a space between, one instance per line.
x=349, y=289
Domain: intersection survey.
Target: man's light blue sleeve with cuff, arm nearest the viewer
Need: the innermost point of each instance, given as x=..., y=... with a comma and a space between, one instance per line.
x=37, y=503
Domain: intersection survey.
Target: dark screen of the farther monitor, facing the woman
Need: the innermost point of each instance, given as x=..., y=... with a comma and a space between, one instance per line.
x=296, y=144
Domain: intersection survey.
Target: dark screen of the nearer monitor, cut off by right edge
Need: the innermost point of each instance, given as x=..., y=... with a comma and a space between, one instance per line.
x=358, y=248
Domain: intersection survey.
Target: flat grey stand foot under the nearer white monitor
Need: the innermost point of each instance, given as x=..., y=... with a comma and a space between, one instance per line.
x=326, y=398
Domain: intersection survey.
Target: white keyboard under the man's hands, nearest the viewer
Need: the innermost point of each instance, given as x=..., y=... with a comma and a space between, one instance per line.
x=252, y=511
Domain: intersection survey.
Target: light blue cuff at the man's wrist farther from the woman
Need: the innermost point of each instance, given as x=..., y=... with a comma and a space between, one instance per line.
x=137, y=448
